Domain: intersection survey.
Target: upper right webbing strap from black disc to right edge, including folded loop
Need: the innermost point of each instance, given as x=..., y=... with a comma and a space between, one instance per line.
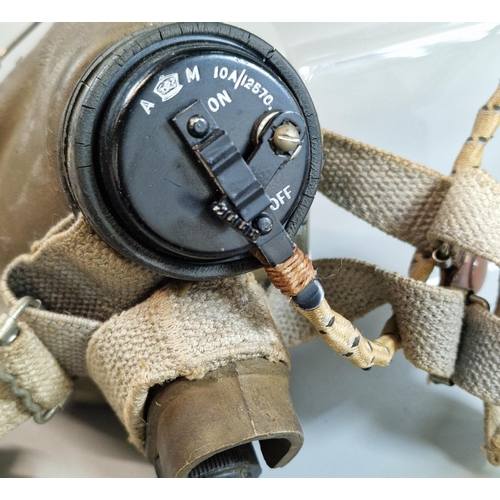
x=411, y=202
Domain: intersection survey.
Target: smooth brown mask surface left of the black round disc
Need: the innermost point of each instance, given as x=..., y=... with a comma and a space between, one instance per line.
x=33, y=100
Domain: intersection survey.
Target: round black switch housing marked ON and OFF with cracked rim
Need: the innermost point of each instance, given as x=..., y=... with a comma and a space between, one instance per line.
x=141, y=184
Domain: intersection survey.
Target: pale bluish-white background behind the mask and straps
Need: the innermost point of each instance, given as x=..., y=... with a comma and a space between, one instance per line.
x=414, y=90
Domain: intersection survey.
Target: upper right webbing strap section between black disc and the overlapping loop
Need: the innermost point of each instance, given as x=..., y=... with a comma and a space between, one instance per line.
x=391, y=193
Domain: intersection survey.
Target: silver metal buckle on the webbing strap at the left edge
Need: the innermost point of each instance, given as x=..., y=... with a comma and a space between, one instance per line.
x=9, y=330
